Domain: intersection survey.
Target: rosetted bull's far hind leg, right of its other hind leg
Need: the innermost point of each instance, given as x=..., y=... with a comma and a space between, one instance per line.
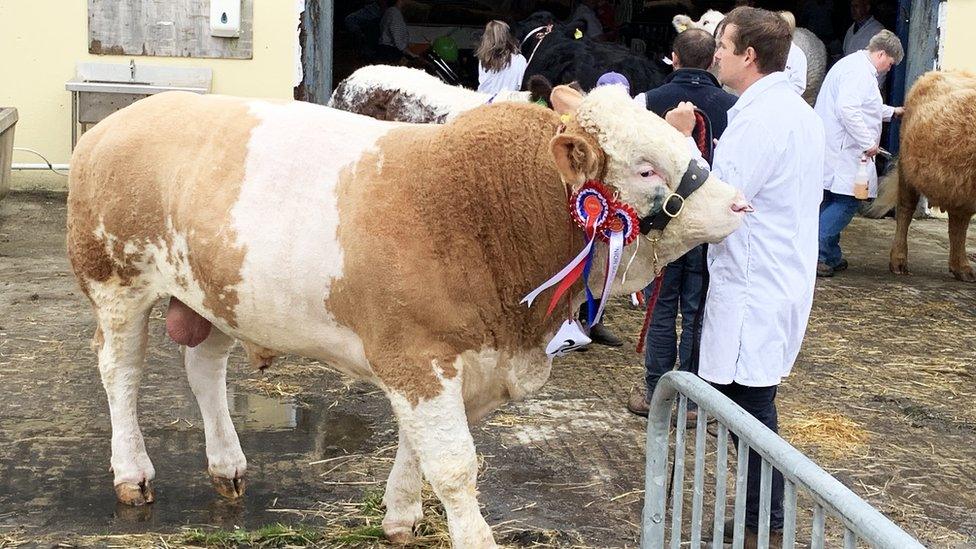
x=206, y=369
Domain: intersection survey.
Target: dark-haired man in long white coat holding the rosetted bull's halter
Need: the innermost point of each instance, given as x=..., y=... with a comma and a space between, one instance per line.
x=762, y=275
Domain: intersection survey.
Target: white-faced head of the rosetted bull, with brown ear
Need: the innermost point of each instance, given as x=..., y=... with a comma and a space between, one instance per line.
x=644, y=160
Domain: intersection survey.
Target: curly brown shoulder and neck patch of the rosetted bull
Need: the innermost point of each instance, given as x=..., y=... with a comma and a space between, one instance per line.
x=449, y=284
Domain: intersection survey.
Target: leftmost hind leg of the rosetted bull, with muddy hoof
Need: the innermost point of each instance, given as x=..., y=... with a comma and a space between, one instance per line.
x=123, y=318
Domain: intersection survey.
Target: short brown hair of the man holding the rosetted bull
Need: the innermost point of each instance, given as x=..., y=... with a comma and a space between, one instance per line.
x=764, y=31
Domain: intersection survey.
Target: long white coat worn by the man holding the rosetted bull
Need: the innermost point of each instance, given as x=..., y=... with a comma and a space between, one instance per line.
x=762, y=275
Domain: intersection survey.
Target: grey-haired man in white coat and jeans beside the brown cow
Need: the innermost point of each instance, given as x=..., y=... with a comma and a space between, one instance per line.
x=852, y=110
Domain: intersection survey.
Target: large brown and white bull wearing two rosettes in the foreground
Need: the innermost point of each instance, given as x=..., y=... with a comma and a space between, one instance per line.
x=396, y=253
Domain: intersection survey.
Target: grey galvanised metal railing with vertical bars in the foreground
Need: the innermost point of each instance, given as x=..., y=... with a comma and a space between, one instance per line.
x=859, y=519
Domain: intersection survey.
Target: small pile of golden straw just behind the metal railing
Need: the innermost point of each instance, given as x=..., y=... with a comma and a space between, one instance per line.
x=831, y=435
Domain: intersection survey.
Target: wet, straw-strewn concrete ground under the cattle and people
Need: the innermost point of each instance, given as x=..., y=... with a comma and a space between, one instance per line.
x=569, y=459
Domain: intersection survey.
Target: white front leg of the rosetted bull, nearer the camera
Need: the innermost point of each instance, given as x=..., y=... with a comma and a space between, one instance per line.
x=437, y=431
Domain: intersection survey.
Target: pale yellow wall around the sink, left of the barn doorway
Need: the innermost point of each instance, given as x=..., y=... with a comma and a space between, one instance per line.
x=41, y=40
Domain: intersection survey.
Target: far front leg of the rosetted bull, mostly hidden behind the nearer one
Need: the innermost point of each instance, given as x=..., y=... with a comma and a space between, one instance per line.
x=402, y=496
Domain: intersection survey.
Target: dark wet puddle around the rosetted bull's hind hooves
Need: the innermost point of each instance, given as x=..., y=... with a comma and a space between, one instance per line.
x=55, y=478
